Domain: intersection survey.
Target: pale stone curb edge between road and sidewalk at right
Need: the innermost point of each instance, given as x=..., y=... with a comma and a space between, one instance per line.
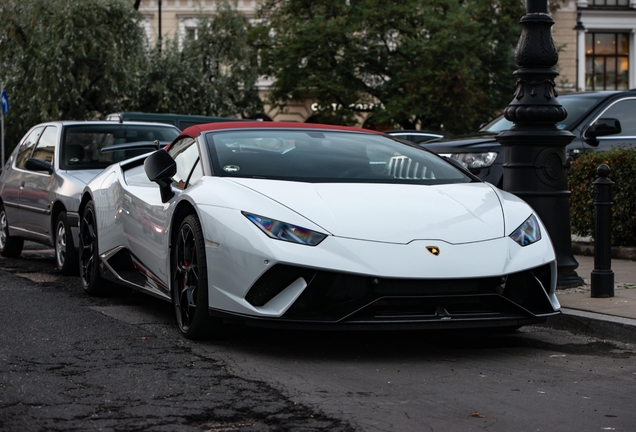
x=594, y=325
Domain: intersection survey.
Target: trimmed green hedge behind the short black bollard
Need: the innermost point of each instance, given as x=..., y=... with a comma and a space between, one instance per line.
x=581, y=177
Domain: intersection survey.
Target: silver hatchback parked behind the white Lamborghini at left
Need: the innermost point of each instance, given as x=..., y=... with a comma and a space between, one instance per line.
x=43, y=178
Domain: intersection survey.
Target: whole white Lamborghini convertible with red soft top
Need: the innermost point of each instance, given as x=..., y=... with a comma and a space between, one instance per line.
x=319, y=226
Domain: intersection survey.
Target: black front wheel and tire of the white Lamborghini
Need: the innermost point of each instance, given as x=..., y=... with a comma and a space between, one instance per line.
x=189, y=283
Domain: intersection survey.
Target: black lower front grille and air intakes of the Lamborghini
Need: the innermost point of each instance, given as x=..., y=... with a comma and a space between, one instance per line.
x=331, y=297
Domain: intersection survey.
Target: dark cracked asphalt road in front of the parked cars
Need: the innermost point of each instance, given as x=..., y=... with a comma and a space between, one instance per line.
x=72, y=362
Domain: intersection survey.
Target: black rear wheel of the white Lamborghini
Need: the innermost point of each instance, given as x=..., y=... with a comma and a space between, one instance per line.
x=92, y=281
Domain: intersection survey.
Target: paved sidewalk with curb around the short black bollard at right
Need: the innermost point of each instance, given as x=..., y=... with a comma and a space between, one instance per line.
x=605, y=318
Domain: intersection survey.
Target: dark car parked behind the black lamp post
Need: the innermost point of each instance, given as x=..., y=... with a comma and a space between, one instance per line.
x=598, y=120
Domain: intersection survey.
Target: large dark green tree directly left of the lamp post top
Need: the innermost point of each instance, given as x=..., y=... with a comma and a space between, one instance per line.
x=413, y=62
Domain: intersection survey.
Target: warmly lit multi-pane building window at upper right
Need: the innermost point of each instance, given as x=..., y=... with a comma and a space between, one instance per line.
x=606, y=61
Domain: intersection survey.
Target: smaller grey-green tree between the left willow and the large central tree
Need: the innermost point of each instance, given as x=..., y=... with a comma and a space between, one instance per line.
x=214, y=74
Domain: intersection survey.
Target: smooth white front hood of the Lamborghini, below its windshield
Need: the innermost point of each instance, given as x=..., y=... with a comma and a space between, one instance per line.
x=456, y=213
